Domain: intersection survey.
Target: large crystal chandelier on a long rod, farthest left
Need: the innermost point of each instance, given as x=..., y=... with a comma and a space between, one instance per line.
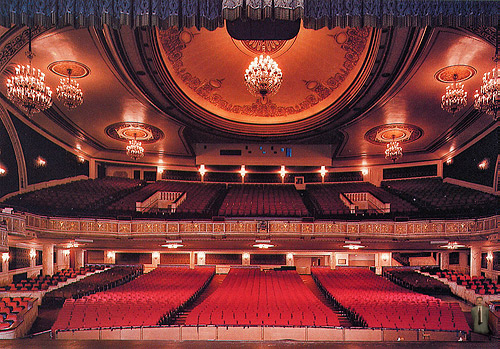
x=27, y=88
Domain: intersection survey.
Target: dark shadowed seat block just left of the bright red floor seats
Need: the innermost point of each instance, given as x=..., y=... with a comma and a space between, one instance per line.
x=93, y=283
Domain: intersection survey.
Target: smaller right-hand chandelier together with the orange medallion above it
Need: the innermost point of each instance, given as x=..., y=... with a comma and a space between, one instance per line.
x=455, y=97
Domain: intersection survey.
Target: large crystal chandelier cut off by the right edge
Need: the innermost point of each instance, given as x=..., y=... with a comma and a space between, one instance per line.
x=487, y=99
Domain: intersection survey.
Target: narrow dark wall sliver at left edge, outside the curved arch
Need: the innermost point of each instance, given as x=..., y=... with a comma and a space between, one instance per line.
x=10, y=181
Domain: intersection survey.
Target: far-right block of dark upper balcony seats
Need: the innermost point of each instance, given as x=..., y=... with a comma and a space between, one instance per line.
x=436, y=196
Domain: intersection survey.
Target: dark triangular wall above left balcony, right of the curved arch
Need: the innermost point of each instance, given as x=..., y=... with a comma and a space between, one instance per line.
x=60, y=163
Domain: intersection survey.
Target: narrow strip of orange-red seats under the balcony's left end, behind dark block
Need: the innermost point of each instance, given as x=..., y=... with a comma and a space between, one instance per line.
x=42, y=283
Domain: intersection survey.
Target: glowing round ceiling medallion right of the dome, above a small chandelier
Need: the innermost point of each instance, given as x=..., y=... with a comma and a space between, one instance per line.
x=402, y=133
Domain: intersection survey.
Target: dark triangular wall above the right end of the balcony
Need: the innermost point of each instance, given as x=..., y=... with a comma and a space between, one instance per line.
x=464, y=165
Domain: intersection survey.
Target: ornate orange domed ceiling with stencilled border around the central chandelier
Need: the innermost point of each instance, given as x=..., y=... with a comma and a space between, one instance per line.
x=321, y=69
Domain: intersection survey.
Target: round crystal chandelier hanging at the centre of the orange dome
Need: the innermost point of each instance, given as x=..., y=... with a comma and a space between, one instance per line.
x=263, y=77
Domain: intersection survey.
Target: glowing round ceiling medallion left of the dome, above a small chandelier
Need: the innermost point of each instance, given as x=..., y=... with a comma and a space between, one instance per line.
x=126, y=131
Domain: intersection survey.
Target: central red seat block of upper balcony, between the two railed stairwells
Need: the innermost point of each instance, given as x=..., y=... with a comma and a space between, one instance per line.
x=262, y=200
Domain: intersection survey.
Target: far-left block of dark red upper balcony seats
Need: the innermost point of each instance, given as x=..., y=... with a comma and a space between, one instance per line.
x=74, y=198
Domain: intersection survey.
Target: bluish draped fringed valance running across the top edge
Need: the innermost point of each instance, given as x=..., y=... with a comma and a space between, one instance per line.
x=211, y=14
